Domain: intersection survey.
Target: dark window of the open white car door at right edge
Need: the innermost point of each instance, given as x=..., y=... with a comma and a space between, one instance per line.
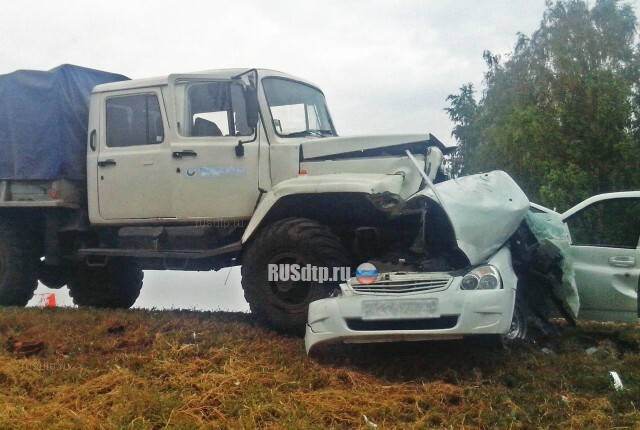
x=609, y=223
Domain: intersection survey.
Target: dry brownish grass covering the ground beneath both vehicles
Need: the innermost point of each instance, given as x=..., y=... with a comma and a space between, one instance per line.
x=238, y=375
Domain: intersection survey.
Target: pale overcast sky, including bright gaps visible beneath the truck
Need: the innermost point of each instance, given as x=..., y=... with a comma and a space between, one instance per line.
x=385, y=67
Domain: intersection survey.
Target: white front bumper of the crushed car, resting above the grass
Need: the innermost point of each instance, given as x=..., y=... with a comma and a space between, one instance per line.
x=347, y=318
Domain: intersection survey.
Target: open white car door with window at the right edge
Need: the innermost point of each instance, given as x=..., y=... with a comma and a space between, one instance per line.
x=604, y=248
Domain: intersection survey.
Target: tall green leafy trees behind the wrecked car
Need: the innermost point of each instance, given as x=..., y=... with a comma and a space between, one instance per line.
x=562, y=113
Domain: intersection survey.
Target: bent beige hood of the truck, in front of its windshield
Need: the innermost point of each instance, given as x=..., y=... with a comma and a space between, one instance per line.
x=363, y=146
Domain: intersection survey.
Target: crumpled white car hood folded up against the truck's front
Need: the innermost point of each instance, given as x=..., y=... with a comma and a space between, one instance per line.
x=485, y=210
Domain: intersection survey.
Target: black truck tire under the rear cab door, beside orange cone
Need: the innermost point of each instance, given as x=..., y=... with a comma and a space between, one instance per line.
x=116, y=285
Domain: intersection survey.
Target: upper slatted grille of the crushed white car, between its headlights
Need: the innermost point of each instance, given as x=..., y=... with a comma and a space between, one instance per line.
x=402, y=283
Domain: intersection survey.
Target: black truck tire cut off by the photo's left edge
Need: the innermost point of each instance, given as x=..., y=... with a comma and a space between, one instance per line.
x=18, y=264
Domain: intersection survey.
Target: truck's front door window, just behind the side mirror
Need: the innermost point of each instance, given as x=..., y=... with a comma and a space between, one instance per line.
x=216, y=109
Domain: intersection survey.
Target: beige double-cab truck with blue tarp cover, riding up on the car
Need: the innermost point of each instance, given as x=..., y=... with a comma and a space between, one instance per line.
x=214, y=169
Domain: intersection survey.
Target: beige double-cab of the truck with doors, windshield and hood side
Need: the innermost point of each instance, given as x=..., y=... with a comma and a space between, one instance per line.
x=205, y=147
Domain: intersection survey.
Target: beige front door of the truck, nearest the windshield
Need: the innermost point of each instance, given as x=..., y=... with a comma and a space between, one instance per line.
x=211, y=178
